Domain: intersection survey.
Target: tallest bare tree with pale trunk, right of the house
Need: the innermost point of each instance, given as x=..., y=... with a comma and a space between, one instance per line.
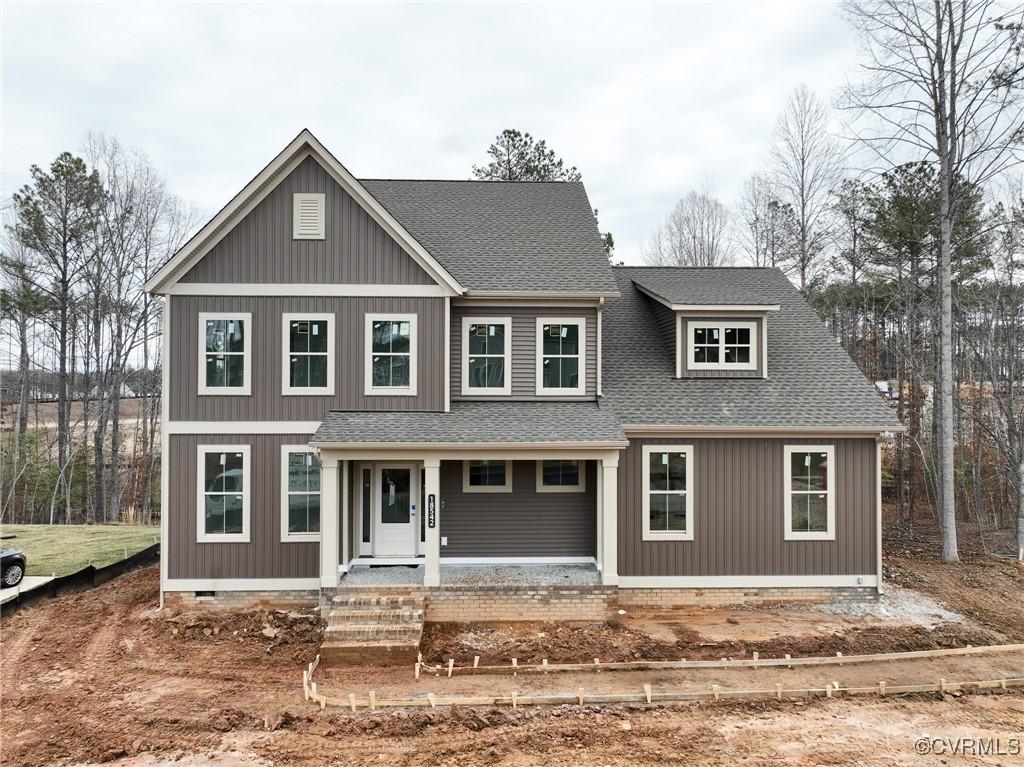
x=942, y=83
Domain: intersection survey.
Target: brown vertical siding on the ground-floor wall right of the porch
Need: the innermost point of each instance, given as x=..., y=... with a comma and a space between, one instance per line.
x=739, y=514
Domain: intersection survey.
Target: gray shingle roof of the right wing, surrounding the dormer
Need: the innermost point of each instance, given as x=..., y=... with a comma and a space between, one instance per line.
x=812, y=381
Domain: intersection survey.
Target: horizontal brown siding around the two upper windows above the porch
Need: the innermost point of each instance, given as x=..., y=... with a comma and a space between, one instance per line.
x=524, y=357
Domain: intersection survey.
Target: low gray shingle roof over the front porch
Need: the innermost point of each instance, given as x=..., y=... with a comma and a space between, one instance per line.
x=478, y=423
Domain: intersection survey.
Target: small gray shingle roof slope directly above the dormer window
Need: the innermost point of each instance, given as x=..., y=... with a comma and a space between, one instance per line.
x=705, y=286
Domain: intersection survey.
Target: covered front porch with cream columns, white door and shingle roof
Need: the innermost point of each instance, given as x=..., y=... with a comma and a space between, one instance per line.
x=432, y=513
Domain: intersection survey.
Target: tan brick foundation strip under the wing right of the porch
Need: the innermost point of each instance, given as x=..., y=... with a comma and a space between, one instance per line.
x=667, y=599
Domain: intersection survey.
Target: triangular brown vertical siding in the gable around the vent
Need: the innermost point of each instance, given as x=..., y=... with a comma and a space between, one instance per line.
x=261, y=248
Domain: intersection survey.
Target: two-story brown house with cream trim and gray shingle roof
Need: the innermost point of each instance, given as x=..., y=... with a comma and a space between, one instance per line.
x=368, y=372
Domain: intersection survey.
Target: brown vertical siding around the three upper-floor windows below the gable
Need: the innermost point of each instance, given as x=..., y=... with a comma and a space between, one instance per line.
x=267, y=402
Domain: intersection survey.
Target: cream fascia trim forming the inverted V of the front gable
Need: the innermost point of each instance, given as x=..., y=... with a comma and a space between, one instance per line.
x=304, y=146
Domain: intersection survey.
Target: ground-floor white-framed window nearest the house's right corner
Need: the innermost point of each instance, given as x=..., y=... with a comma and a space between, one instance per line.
x=810, y=493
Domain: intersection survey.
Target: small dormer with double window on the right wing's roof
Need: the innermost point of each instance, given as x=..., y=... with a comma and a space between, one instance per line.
x=712, y=330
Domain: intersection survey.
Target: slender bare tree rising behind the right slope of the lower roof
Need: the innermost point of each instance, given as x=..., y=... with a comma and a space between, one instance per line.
x=807, y=164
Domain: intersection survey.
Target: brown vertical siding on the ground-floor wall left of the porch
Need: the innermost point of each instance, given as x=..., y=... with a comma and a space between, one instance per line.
x=265, y=556
